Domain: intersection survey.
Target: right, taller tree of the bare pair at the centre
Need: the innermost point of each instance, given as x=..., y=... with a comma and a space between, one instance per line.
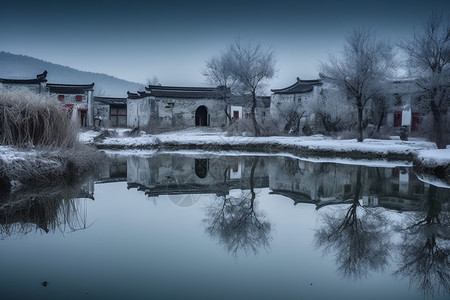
x=251, y=66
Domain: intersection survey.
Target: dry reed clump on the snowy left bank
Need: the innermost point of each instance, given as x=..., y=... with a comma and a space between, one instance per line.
x=44, y=139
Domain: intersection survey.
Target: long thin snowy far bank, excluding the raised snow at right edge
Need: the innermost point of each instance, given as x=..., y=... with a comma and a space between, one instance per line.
x=313, y=146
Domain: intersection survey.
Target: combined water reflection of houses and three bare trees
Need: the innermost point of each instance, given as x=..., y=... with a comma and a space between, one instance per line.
x=352, y=201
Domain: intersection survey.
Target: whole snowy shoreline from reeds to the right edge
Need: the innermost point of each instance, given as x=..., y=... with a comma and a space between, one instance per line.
x=420, y=153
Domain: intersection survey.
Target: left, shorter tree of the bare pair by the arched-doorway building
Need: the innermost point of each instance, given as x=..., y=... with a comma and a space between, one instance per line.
x=218, y=73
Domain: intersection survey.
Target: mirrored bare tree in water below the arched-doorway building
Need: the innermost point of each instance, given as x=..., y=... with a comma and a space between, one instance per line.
x=236, y=222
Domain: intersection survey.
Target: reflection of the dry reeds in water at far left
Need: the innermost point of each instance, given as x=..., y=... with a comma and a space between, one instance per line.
x=46, y=209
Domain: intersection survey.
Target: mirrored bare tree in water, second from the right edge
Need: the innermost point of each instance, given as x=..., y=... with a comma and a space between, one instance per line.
x=357, y=236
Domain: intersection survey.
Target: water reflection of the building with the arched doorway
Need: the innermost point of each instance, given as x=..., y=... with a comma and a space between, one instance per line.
x=166, y=174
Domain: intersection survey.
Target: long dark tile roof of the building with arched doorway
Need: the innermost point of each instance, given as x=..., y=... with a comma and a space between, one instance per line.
x=183, y=92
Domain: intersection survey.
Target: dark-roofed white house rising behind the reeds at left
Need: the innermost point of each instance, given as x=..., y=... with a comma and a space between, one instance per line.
x=76, y=97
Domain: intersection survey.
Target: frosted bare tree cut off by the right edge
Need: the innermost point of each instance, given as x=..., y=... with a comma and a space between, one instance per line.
x=429, y=56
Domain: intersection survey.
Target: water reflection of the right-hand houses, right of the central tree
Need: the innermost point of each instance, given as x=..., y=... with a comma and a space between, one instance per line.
x=324, y=184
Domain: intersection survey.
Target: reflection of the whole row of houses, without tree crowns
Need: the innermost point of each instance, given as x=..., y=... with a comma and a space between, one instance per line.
x=320, y=184
